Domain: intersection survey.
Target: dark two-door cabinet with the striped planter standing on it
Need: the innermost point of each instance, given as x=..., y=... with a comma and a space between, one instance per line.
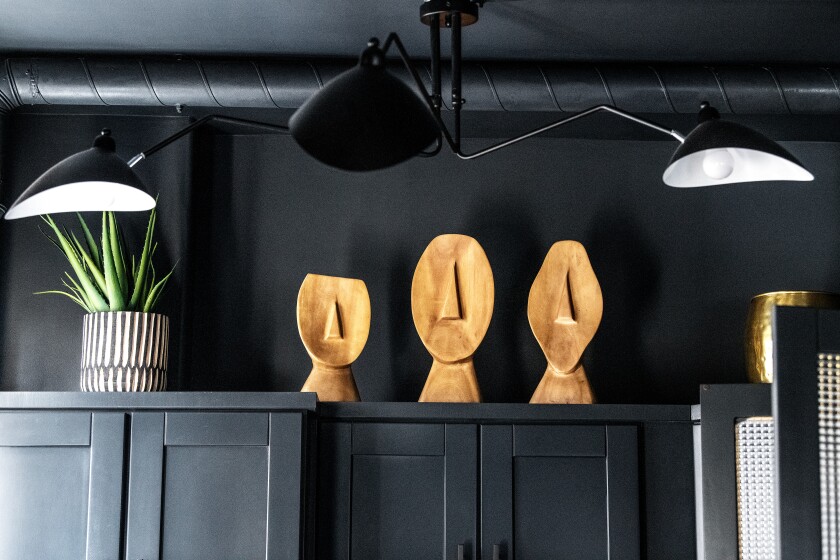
x=153, y=477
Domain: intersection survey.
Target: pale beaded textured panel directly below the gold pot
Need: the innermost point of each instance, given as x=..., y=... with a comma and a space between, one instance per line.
x=755, y=467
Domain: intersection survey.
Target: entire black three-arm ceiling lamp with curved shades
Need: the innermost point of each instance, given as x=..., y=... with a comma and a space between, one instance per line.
x=367, y=119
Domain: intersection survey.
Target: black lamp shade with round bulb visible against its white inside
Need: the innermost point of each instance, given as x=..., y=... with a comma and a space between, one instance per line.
x=721, y=152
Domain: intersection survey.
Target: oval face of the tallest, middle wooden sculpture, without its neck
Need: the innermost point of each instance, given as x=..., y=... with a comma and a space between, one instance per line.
x=452, y=297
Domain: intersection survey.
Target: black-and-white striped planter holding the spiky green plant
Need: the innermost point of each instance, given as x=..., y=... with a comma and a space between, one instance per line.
x=125, y=351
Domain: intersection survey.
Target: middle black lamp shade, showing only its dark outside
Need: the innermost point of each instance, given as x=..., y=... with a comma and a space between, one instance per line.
x=364, y=119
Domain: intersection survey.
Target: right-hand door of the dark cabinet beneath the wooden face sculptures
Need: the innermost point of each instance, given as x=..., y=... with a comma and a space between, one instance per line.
x=552, y=492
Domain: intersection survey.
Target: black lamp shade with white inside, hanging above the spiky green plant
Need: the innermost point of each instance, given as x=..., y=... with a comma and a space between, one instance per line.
x=93, y=180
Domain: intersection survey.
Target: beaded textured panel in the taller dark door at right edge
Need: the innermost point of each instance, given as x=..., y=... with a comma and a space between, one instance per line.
x=828, y=375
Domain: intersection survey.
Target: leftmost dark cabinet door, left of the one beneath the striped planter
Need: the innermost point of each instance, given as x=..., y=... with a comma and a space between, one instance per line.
x=61, y=485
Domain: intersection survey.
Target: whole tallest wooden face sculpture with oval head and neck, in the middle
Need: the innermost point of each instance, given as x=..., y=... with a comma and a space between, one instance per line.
x=452, y=302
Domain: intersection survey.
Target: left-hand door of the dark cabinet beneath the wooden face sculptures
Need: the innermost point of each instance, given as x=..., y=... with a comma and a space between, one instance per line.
x=397, y=490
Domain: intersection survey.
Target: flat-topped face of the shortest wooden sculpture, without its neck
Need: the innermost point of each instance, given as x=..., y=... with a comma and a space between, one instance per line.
x=333, y=318
